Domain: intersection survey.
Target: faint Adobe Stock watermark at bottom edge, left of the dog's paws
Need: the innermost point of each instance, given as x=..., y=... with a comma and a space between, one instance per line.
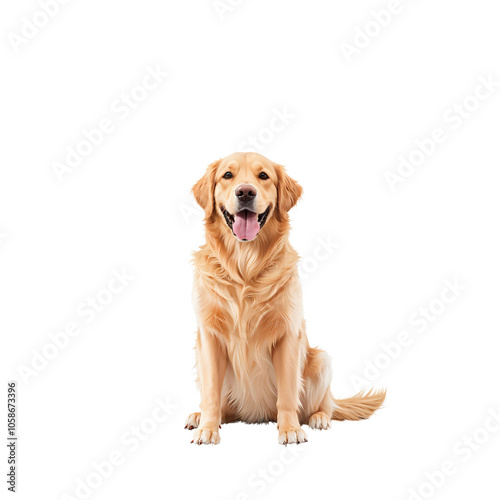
x=130, y=441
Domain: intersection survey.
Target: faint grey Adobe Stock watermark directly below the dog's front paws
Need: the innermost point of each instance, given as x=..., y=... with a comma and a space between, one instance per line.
x=260, y=480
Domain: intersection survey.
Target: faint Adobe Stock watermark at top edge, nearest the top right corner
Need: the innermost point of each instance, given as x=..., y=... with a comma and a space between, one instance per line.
x=367, y=32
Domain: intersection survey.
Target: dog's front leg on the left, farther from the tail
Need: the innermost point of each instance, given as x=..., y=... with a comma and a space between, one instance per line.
x=212, y=362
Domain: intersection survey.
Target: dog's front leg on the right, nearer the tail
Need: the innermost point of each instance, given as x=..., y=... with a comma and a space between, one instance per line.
x=287, y=368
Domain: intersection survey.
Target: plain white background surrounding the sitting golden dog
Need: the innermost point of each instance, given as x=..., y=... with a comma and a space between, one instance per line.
x=127, y=205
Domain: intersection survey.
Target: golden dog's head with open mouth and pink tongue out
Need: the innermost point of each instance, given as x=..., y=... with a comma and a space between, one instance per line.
x=246, y=190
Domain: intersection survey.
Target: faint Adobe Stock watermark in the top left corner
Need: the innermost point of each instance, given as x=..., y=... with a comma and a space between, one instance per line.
x=32, y=25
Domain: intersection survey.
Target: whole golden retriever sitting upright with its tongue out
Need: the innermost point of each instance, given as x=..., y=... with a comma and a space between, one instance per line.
x=254, y=362
